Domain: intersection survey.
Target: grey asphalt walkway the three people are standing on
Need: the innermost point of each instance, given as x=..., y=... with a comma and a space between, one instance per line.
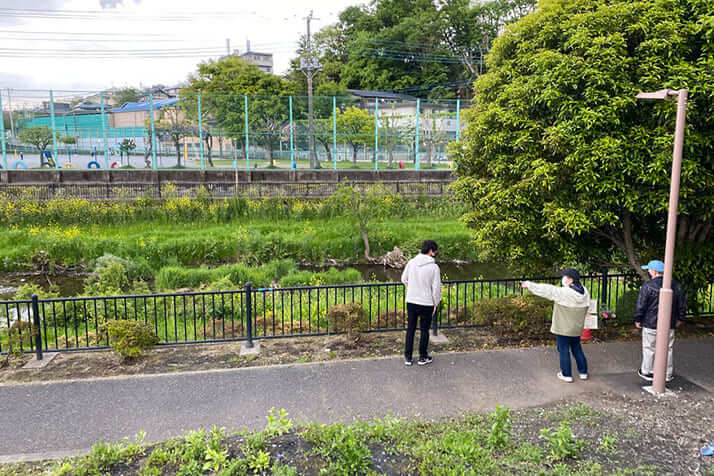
x=51, y=419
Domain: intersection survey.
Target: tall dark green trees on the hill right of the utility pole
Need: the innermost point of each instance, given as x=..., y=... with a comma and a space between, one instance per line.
x=424, y=47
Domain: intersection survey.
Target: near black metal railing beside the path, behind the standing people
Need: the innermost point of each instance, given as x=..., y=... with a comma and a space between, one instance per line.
x=75, y=323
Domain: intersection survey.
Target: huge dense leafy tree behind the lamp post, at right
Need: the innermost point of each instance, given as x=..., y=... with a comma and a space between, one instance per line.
x=560, y=162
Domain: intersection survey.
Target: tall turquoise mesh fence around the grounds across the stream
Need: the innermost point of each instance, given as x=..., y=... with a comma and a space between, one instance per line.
x=210, y=131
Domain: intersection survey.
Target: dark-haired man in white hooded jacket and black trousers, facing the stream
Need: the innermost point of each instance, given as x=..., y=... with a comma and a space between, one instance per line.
x=422, y=278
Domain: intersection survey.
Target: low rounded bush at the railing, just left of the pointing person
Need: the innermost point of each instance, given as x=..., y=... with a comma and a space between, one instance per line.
x=514, y=316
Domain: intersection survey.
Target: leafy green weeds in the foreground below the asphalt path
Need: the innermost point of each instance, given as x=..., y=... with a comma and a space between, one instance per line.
x=474, y=444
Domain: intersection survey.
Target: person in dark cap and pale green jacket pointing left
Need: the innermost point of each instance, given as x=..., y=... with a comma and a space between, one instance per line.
x=570, y=306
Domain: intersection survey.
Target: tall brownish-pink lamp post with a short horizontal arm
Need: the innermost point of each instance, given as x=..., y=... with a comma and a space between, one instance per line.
x=664, y=314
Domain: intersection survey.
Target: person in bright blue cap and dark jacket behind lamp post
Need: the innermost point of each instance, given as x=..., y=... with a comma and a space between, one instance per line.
x=646, y=318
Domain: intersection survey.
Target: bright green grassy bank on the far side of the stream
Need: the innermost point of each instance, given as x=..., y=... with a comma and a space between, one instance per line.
x=250, y=241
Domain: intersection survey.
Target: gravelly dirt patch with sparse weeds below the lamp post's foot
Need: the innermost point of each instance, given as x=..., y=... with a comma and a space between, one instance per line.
x=656, y=436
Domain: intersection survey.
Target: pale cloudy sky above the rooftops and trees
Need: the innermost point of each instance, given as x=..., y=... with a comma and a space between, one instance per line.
x=72, y=45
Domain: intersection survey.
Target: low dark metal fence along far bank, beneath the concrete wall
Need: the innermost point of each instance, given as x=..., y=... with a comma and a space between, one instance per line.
x=128, y=191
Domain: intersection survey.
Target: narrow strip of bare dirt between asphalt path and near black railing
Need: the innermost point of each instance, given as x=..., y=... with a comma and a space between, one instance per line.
x=195, y=357
